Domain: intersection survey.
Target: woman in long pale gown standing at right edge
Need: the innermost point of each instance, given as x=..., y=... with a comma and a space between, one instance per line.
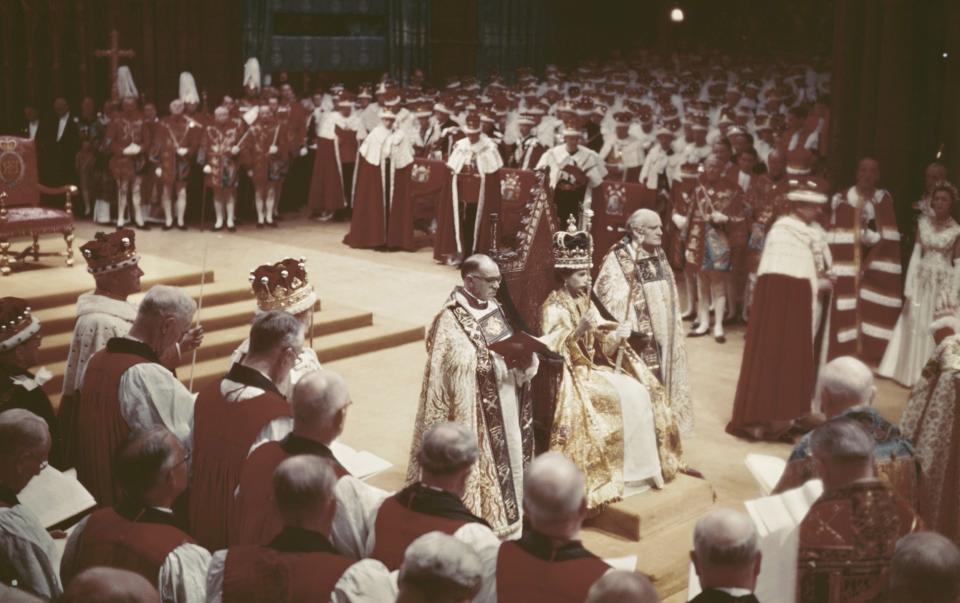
x=934, y=272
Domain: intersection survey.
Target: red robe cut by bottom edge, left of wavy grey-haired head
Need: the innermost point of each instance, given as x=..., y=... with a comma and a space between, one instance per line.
x=298, y=566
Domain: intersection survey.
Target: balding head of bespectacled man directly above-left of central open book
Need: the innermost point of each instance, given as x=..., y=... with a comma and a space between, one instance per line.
x=320, y=400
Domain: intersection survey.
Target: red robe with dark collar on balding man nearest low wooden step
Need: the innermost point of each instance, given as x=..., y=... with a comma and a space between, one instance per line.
x=563, y=575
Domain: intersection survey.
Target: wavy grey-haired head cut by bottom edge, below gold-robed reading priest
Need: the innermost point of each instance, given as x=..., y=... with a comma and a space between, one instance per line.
x=439, y=568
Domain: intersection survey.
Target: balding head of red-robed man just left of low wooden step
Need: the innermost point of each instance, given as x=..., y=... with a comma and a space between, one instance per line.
x=554, y=495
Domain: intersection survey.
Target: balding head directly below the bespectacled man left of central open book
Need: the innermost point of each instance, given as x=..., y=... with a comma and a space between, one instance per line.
x=303, y=490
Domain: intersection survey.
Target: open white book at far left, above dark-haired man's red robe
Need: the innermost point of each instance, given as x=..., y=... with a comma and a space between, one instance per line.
x=56, y=498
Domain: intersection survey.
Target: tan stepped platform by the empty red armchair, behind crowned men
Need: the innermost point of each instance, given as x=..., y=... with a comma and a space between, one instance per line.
x=228, y=307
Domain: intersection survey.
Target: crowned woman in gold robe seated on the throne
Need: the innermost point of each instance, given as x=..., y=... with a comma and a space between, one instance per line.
x=604, y=419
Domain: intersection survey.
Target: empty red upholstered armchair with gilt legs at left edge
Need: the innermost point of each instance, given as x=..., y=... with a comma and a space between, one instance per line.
x=20, y=213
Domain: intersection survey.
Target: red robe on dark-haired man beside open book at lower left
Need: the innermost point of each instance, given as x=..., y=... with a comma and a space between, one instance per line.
x=115, y=539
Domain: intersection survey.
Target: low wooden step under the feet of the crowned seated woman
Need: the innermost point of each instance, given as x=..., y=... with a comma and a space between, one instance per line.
x=645, y=514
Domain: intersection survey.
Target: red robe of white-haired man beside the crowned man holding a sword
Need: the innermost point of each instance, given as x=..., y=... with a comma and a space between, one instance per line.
x=98, y=429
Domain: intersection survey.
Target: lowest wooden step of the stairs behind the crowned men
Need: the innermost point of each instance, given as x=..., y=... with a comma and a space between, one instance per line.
x=345, y=344
